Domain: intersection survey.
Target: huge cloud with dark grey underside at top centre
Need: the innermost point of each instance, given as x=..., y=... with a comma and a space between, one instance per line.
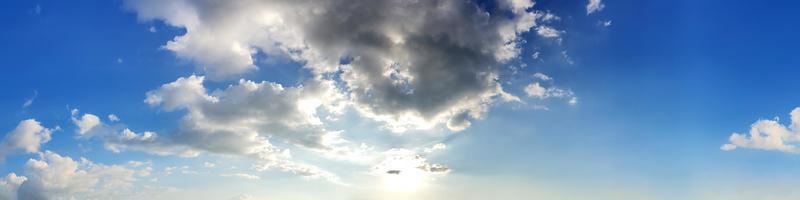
x=409, y=64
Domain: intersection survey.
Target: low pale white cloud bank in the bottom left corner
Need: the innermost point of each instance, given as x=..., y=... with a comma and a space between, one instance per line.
x=53, y=176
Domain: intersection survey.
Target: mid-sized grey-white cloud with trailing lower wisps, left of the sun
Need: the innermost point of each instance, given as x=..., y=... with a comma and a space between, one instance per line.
x=239, y=120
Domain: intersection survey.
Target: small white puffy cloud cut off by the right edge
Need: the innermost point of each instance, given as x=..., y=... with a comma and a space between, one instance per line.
x=769, y=135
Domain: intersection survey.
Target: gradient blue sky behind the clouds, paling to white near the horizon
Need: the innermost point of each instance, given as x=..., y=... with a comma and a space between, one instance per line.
x=659, y=92
